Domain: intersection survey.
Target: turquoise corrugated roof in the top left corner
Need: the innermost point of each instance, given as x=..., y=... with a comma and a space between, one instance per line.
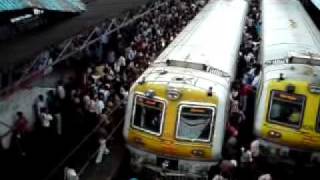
x=51, y=5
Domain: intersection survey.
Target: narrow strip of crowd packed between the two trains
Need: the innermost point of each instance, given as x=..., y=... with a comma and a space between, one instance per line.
x=241, y=152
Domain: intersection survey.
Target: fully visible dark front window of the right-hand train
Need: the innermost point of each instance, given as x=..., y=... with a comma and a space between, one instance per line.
x=286, y=109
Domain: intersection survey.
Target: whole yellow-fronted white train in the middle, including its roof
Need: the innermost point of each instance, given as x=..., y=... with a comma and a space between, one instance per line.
x=176, y=113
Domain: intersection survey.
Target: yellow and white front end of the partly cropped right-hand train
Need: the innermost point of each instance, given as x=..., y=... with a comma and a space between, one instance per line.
x=287, y=117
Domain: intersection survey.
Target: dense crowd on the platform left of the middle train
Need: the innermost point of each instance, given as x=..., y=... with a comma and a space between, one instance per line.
x=103, y=74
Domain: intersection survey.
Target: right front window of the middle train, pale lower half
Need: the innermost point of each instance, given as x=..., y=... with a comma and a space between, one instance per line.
x=195, y=123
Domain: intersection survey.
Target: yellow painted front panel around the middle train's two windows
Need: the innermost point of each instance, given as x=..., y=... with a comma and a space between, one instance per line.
x=165, y=143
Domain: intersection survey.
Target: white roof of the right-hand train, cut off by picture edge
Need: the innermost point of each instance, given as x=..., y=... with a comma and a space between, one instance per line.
x=287, y=30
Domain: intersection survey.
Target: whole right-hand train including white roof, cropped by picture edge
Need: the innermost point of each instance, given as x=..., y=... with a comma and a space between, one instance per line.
x=287, y=114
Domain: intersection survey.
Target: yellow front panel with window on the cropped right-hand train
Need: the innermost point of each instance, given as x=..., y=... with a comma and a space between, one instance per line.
x=292, y=117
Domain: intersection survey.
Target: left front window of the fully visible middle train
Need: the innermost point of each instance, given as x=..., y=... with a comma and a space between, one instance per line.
x=148, y=114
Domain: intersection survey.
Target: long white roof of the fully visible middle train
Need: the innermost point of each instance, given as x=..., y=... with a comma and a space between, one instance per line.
x=211, y=39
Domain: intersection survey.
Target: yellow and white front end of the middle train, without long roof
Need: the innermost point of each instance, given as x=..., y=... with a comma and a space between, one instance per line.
x=174, y=124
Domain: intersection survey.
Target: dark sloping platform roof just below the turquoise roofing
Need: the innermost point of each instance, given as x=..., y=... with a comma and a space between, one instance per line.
x=26, y=47
